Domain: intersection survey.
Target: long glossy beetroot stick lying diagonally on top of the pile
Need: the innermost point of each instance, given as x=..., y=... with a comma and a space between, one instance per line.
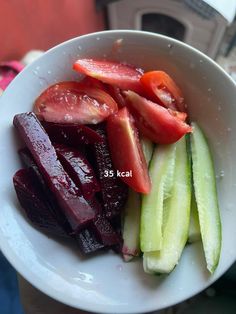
x=69, y=198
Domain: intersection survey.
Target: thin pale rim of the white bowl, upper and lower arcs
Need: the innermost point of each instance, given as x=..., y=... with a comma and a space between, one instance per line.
x=19, y=267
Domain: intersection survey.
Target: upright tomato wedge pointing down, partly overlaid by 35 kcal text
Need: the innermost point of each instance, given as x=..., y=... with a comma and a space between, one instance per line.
x=126, y=151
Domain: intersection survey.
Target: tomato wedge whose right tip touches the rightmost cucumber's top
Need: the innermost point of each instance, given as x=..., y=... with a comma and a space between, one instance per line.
x=154, y=121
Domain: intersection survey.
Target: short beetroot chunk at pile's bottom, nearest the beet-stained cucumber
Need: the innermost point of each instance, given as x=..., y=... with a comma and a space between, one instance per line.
x=105, y=232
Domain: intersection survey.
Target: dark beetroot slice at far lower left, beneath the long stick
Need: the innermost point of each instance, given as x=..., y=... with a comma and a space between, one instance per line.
x=35, y=204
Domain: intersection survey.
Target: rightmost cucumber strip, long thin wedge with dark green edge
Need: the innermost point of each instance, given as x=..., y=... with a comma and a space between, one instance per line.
x=206, y=197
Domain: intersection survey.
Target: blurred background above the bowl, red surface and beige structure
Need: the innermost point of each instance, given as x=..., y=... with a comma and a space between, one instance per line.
x=39, y=25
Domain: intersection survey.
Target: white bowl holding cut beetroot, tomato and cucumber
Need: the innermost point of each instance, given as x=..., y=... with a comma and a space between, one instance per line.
x=105, y=283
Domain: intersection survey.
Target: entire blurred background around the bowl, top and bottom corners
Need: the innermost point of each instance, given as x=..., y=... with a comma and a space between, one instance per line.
x=28, y=28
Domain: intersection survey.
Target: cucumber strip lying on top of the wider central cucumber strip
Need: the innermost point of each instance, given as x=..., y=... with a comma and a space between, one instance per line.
x=161, y=172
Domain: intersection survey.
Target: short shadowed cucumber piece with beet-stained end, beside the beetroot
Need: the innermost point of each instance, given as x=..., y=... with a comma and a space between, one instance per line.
x=131, y=228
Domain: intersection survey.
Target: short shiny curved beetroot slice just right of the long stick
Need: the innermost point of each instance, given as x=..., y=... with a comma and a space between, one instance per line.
x=79, y=169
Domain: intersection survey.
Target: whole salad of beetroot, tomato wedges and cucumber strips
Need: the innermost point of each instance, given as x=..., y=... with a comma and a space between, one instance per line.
x=113, y=162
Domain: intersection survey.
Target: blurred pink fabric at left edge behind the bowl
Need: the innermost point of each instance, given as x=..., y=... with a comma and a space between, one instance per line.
x=8, y=71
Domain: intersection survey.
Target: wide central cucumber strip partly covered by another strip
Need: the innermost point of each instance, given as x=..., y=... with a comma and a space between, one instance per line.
x=176, y=224
